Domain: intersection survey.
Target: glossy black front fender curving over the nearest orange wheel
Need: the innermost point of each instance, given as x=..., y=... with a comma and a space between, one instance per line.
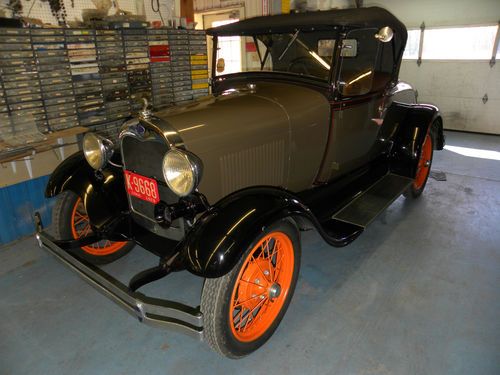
x=220, y=236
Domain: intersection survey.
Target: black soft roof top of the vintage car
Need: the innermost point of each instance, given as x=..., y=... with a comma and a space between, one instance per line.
x=349, y=18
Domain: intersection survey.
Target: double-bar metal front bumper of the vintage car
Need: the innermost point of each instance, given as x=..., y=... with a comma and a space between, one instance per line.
x=149, y=310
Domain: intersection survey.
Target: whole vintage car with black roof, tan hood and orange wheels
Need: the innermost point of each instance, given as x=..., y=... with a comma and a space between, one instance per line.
x=313, y=131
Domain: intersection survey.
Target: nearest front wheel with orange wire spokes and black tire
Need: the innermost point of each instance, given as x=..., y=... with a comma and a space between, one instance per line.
x=221, y=323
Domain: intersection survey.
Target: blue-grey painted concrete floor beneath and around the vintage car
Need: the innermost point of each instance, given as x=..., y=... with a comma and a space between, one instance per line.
x=417, y=293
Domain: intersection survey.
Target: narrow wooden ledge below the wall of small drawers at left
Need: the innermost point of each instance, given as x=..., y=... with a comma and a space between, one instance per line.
x=37, y=147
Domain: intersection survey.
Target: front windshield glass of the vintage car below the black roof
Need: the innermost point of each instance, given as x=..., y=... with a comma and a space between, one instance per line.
x=301, y=53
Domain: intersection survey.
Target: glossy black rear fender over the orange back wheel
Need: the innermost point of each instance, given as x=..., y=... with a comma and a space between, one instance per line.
x=410, y=124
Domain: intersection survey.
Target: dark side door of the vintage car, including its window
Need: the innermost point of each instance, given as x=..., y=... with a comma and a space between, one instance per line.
x=355, y=112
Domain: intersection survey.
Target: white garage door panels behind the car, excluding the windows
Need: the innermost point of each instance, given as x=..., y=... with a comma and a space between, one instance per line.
x=457, y=87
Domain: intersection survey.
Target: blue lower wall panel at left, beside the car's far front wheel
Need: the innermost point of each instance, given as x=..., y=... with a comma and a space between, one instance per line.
x=18, y=203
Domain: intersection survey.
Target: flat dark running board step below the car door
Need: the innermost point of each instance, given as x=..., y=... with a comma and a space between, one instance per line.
x=369, y=204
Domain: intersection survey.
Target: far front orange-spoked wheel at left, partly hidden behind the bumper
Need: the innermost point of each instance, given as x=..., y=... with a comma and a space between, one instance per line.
x=70, y=221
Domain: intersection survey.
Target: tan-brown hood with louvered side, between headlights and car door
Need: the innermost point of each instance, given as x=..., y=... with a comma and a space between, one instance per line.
x=274, y=134
